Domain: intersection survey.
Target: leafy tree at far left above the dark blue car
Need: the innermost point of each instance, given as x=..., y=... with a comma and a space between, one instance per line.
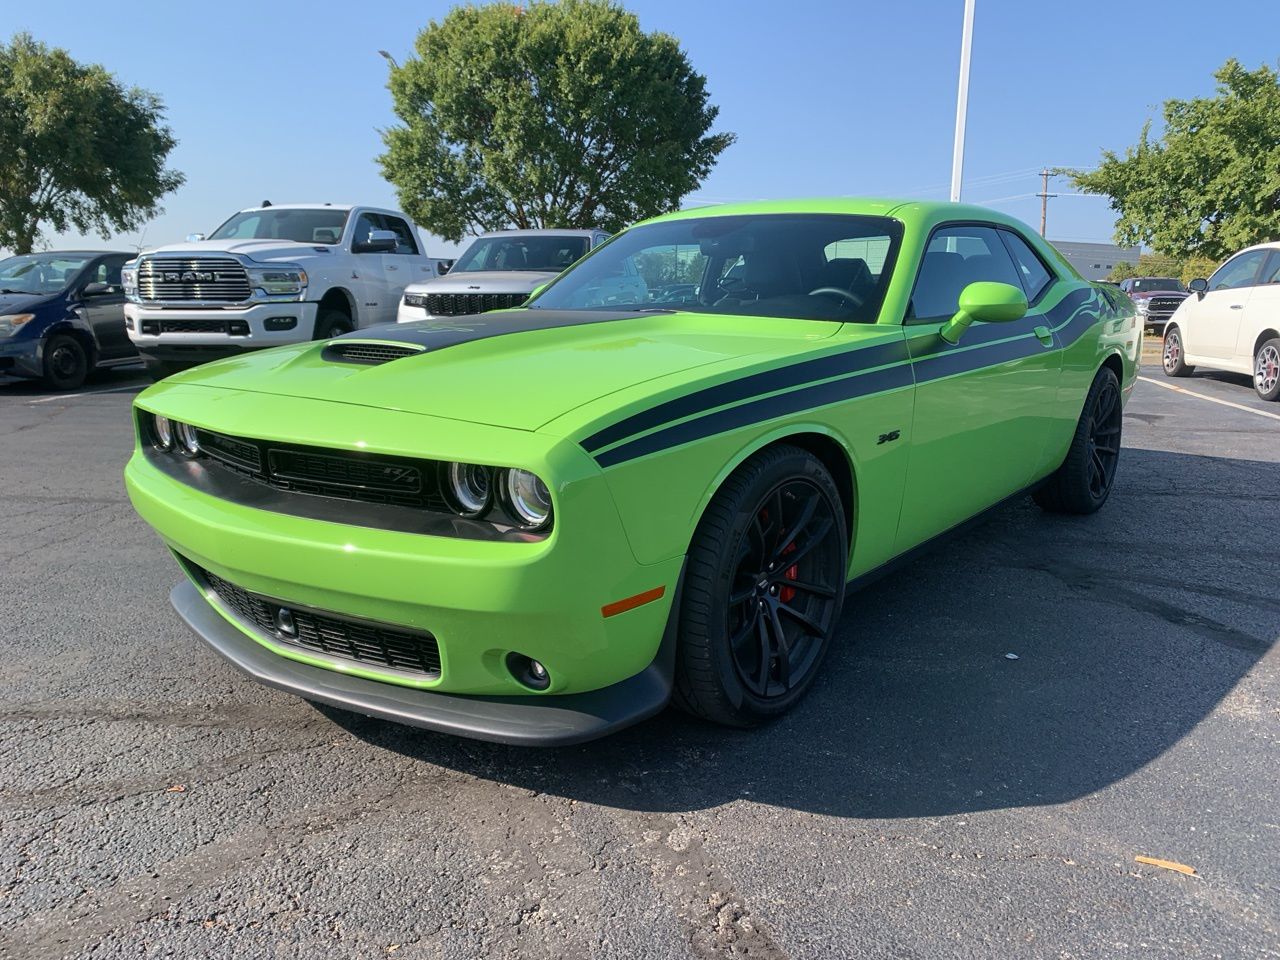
x=76, y=148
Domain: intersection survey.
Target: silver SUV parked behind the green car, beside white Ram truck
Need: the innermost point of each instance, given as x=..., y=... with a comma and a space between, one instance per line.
x=497, y=272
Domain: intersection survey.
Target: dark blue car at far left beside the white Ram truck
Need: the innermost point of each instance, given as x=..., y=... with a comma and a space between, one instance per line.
x=62, y=316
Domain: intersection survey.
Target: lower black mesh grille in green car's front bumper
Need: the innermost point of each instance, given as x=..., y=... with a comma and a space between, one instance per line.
x=327, y=634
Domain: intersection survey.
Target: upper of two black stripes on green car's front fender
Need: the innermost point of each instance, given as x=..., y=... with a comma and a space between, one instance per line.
x=848, y=362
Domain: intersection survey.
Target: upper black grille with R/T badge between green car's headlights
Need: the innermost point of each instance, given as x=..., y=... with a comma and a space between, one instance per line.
x=369, y=478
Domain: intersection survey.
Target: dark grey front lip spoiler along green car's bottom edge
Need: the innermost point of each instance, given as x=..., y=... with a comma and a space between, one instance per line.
x=525, y=721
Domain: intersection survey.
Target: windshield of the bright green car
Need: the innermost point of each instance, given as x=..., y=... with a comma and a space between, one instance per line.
x=810, y=267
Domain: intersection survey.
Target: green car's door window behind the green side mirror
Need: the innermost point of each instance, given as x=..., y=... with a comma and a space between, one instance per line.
x=956, y=258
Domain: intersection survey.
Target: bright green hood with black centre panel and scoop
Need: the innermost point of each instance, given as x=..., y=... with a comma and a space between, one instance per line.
x=516, y=369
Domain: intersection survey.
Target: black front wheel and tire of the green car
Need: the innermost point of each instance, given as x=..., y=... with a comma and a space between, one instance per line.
x=740, y=587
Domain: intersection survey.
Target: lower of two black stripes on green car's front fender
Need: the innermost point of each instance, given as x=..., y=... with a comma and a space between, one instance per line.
x=758, y=412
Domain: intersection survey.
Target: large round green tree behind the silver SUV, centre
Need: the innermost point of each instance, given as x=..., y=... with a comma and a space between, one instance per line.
x=555, y=115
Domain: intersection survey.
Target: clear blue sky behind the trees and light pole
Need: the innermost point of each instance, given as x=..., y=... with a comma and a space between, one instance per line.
x=285, y=102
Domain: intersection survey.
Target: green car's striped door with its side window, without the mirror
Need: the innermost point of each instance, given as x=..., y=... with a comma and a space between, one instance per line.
x=984, y=408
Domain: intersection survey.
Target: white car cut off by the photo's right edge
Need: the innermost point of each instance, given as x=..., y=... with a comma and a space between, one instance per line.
x=1232, y=322
